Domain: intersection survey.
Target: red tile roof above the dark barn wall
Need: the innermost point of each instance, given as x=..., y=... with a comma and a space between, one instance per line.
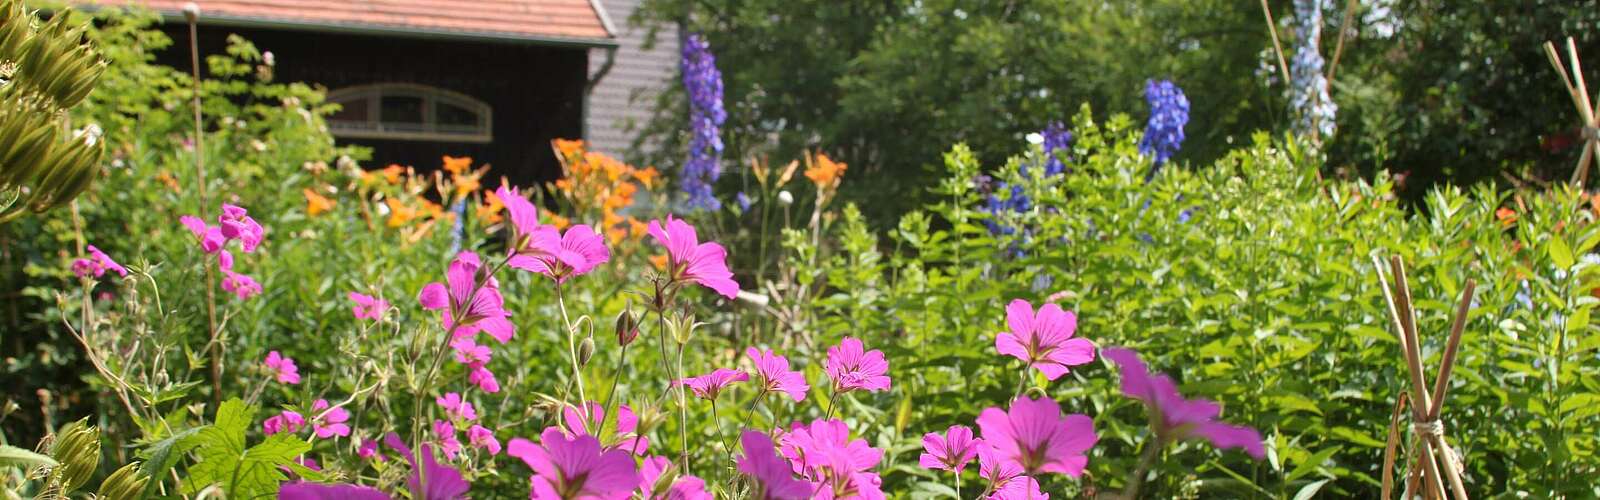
x=559, y=22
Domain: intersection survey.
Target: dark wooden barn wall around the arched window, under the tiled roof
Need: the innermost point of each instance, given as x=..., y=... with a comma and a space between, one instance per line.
x=537, y=92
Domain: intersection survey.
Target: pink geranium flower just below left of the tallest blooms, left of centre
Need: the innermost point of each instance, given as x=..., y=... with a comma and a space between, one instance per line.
x=478, y=308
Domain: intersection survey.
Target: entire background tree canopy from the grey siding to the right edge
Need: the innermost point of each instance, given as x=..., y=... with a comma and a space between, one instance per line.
x=1446, y=91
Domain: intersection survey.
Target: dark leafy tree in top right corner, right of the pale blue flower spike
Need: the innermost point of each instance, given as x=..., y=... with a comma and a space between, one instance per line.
x=1460, y=92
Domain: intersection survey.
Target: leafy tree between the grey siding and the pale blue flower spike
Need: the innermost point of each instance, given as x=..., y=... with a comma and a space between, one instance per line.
x=882, y=84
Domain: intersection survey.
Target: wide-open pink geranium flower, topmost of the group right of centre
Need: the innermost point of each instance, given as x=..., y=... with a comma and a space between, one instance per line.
x=1044, y=341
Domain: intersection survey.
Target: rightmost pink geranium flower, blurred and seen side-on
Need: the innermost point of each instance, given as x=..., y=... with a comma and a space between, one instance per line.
x=1180, y=419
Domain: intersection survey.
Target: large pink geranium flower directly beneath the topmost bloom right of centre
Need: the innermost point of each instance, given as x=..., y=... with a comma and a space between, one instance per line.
x=1036, y=435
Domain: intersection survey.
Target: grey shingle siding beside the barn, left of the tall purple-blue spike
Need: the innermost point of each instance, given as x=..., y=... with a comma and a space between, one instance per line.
x=623, y=102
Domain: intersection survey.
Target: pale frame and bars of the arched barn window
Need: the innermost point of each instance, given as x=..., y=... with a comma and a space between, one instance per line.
x=374, y=127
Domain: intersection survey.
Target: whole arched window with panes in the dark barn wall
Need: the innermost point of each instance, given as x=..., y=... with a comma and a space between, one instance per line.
x=409, y=113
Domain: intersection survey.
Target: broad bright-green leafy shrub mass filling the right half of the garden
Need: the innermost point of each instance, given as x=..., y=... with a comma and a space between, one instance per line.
x=1252, y=283
